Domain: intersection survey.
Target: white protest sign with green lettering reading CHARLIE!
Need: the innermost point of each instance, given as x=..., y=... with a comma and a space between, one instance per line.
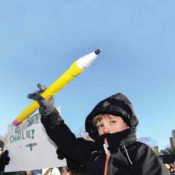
x=30, y=148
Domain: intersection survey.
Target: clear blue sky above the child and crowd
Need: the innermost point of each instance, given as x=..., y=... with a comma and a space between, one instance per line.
x=40, y=39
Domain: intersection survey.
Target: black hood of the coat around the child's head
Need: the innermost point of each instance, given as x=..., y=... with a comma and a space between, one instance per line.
x=117, y=104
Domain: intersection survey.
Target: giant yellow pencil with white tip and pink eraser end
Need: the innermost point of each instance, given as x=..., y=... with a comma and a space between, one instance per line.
x=75, y=69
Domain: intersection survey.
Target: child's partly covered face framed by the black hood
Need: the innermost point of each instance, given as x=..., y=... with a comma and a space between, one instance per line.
x=110, y=124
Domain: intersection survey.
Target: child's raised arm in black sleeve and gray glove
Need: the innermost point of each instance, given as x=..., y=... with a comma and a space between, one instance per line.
x=76, y=148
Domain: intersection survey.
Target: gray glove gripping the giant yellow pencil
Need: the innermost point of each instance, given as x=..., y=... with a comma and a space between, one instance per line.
x=46, y=107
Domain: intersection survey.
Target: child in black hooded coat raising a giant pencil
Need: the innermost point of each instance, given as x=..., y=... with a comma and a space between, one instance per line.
x=112, y=126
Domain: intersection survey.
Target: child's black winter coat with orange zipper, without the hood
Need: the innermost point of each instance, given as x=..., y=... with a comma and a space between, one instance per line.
x=126, y=155
